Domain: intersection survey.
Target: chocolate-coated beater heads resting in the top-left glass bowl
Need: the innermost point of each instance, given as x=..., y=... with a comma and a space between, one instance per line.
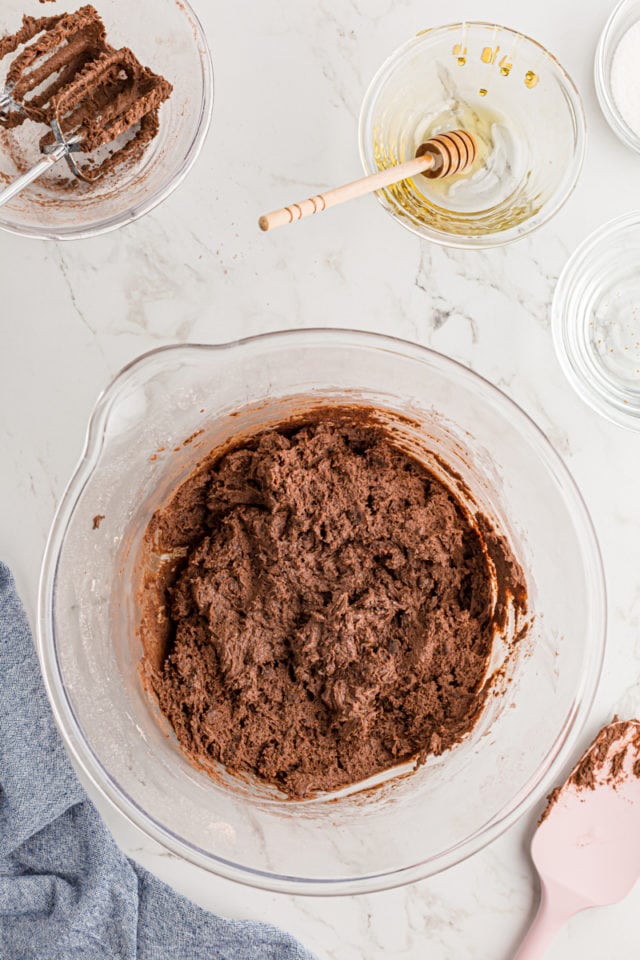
x=67, y=75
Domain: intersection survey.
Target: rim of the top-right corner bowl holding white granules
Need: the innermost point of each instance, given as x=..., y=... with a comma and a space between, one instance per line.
x=623, y=17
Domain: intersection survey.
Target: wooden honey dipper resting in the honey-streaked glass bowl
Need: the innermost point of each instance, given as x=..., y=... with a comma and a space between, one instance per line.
x=442, y=156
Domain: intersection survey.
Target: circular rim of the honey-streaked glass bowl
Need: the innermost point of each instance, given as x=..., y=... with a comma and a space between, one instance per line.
x=572, y=172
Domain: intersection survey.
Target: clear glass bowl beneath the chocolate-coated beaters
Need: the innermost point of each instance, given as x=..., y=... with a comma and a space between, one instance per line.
x=166, y=36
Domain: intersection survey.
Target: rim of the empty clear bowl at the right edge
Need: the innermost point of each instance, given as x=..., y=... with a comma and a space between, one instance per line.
x=562, y=322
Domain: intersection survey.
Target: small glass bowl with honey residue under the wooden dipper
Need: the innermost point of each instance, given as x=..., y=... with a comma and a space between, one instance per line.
x=513, y=95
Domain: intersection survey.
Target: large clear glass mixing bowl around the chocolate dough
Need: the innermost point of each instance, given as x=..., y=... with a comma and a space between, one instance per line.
x=411, y=826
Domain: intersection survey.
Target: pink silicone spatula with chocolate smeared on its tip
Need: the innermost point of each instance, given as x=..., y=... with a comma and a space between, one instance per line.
x=587, y=848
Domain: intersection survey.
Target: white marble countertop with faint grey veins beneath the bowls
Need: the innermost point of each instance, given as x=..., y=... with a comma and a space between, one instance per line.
x=198, y=269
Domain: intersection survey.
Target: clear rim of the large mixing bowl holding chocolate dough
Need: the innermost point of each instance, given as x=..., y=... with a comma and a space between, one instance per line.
x=526, y=795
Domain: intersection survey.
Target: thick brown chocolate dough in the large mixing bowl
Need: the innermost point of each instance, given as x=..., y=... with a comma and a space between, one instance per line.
x=330, y=609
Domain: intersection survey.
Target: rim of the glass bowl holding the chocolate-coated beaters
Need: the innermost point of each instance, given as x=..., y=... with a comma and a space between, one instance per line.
x=105, y=225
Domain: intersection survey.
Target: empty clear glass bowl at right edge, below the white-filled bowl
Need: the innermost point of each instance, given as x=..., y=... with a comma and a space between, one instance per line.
x=596, y=320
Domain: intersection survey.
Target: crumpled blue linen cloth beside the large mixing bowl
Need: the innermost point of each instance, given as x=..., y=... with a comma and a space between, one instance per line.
x=66, y=890
